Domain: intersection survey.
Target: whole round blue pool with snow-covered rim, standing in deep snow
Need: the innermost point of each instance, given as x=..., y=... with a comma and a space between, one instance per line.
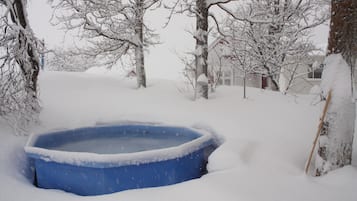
x=106, y=159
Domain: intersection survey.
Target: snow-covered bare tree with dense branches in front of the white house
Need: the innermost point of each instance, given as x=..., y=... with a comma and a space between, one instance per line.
x=276, y=33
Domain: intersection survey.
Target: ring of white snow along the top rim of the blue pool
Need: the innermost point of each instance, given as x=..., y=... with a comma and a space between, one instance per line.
x=95, y=160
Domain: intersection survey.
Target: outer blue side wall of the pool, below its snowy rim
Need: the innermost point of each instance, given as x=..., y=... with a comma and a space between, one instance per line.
x=97, y=181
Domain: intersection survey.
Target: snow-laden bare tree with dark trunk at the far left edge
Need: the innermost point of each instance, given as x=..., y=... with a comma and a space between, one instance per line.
x=19, y=66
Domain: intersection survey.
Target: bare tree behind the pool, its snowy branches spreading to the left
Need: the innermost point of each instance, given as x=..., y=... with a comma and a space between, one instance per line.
x=112, y=28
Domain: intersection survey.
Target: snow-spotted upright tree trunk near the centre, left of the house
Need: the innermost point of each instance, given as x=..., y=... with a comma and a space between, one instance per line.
x=201, y=54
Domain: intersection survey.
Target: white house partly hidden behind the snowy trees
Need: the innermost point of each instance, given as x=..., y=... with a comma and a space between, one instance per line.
x=221, y=68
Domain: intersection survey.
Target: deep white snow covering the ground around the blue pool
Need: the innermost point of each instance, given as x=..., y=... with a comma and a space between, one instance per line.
x=267, y=140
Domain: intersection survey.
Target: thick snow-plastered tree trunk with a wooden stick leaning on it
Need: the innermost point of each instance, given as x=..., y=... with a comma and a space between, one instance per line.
x=335, y=142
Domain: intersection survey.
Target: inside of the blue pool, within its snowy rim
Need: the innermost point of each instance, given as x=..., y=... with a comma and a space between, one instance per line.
x=127, y=139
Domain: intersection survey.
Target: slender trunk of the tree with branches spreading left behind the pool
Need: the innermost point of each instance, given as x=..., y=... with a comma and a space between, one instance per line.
x=139, y=49
